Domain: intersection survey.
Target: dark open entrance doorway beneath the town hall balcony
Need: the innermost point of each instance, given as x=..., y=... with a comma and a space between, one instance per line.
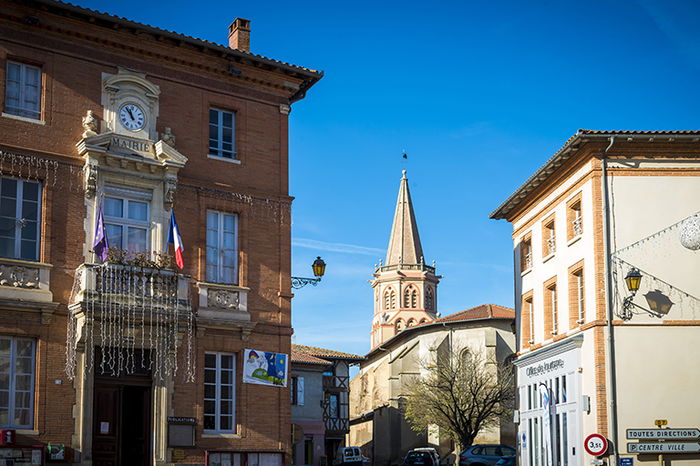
x=121, y=420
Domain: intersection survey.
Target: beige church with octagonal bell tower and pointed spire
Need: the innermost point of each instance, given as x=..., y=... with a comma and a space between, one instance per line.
x=407, y=331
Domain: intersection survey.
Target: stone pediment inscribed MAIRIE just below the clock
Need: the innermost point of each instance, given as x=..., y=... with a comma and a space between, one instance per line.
x=127, y=148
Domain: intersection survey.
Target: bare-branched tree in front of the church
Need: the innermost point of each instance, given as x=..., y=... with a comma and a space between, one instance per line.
x=462, y=393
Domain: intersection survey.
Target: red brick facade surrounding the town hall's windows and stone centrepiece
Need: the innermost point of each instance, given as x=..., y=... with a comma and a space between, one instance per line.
x=75, y=49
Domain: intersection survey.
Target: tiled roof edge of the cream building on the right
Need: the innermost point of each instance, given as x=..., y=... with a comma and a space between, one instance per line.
x=566, y=152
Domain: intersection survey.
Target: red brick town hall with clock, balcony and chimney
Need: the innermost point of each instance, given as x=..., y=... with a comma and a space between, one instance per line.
x=118, y=360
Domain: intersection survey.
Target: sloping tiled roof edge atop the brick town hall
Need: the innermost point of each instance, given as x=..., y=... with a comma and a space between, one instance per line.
x=185, y=38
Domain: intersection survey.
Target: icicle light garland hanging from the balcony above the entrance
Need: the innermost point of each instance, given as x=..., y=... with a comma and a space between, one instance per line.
x=128, y=310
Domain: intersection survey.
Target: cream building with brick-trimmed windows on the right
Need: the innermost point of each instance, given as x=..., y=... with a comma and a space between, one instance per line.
x=606, y=204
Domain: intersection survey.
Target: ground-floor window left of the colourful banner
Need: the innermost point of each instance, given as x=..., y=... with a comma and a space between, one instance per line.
x=219, y=392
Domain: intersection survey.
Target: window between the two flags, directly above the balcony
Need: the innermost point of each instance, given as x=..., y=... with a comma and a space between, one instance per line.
x=127, y=219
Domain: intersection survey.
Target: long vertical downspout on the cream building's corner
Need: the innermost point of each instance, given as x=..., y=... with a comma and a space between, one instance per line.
x=612, y=373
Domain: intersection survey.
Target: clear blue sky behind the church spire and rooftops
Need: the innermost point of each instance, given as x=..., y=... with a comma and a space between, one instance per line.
x=479, y=94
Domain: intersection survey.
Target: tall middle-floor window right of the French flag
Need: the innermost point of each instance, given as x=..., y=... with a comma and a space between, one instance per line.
x=222, y=247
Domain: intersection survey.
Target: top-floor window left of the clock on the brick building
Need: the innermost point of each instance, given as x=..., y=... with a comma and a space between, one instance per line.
x=23, y=90
